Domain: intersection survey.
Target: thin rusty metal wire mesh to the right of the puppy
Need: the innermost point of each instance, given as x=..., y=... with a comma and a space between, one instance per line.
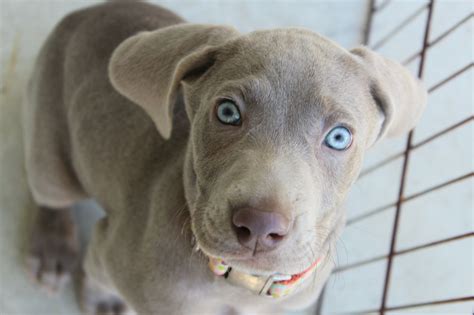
x=410, y=146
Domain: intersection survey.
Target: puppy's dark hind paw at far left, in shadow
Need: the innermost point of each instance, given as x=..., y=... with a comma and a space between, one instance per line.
x=53, y=250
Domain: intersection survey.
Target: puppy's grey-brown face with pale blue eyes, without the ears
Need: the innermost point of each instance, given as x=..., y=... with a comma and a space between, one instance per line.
x=277, y=139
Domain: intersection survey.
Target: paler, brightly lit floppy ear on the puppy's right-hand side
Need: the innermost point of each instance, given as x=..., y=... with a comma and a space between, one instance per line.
x=400, y=96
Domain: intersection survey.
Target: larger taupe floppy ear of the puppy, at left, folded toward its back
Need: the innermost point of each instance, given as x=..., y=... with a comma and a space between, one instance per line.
x=147, y=68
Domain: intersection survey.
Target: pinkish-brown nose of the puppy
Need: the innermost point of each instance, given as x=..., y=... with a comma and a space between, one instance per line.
x=266, y=228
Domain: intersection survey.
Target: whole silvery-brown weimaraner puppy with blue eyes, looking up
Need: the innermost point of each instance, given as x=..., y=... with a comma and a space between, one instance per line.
x=222, y=159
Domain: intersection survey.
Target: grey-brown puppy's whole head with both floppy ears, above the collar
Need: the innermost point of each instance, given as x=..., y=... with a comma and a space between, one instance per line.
x=280, y=121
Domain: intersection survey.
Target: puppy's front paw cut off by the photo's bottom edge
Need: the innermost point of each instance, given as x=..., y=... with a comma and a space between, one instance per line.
x=97, y=300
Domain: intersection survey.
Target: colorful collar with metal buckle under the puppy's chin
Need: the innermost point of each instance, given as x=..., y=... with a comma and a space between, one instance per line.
x=272, y=286
